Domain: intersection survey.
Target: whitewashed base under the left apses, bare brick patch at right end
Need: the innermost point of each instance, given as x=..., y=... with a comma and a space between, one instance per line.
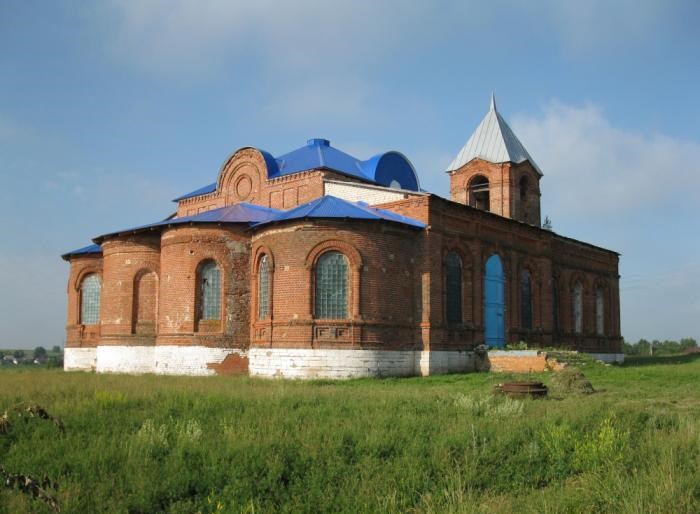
x=162, y=360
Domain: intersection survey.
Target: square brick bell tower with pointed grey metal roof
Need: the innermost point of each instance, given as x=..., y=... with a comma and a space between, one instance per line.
x=494, y=172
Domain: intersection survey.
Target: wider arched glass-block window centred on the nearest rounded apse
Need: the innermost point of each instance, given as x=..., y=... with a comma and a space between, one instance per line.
x=331, y=283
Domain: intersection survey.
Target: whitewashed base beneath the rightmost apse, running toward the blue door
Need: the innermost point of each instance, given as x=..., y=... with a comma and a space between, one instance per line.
x=317, y=363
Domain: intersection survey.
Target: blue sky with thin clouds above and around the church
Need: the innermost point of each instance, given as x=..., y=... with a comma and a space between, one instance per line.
x=108, y=110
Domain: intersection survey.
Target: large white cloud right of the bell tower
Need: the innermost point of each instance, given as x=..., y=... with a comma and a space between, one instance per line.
x=613, y=170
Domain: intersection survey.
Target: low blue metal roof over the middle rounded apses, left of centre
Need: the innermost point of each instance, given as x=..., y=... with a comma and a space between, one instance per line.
x=238, y=213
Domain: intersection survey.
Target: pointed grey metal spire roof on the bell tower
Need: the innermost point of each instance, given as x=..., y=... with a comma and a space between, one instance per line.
x=493, y=141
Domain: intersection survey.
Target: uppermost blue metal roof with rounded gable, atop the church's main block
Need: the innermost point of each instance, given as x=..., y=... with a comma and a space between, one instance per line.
x=390, y=169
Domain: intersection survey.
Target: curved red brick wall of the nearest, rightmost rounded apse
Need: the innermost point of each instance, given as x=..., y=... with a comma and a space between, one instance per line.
x=382, y=278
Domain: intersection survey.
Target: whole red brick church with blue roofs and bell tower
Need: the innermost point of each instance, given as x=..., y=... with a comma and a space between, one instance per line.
x=319, y=264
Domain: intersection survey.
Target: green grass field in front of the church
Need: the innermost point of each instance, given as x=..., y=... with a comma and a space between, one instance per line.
x=142, y=444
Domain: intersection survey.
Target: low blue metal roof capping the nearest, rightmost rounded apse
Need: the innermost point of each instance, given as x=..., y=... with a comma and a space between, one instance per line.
x=328, y=207
